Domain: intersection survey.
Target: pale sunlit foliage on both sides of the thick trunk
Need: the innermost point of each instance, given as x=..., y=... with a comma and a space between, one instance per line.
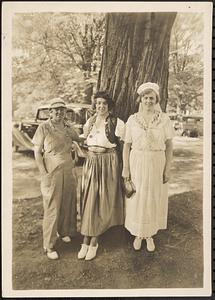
x=59, y=54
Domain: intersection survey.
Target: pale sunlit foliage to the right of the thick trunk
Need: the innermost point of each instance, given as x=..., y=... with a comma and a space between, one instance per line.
x=186, y=64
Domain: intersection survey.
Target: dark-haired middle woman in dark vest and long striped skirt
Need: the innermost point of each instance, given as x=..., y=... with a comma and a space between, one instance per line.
x=101, y=198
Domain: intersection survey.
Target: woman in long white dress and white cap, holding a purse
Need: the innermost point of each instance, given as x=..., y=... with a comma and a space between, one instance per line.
x=147, y=156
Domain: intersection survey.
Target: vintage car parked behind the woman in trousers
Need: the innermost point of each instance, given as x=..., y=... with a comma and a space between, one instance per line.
x=23, y=132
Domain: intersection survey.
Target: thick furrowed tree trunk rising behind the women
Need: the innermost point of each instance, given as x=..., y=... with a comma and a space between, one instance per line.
x=136, y=50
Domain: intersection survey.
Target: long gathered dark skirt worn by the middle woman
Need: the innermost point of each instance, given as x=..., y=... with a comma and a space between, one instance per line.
x=102, y=202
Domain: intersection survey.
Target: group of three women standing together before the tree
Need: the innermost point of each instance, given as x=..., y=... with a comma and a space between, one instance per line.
x=147, y=155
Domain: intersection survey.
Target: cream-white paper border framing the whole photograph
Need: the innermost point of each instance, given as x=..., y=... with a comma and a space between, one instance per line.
x=9, y=9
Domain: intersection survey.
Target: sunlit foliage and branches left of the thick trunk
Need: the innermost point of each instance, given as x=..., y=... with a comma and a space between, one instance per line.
x=54, y=54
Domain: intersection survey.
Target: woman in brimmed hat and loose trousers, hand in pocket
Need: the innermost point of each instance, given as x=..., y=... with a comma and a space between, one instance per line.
x=53, y=143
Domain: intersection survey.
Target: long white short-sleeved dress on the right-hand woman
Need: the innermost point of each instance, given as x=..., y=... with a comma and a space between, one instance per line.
x=146, y=211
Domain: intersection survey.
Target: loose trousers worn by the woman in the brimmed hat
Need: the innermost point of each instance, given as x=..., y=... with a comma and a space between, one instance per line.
x=59, y=202
